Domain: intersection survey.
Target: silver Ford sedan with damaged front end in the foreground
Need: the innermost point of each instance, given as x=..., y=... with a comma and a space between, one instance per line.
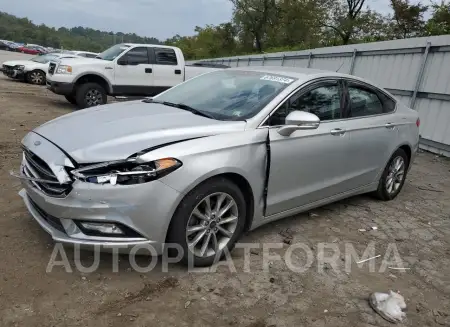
x=219, y=154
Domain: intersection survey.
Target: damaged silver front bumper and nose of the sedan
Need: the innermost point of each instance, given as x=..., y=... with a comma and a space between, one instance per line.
x=140, y=213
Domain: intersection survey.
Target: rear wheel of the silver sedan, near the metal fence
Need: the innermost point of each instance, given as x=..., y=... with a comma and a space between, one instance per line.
x=384, y=191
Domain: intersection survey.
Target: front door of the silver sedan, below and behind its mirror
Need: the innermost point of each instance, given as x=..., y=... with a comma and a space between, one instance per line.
x=308, y=165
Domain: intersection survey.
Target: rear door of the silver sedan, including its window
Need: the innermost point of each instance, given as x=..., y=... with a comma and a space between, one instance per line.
x=372, y=130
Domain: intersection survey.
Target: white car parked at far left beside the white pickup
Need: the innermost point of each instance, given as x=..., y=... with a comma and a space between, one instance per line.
x=33, y=70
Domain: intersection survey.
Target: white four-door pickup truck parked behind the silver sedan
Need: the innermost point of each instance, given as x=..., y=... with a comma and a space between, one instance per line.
x=123, y=70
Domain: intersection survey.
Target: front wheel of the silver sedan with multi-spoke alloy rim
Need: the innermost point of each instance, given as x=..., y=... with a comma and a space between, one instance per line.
x=195, y=199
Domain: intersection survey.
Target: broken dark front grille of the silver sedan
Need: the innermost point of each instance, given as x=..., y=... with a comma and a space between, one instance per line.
x=37, y=168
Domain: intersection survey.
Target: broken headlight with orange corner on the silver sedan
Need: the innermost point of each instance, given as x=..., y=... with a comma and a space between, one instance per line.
x=126, y=172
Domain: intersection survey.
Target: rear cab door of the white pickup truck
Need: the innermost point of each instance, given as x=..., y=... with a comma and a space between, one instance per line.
x=167, y=69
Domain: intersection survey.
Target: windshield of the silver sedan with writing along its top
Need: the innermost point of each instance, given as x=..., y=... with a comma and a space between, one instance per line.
x=228, y=94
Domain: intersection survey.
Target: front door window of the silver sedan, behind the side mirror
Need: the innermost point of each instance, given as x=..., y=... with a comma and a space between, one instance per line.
x=323, y=101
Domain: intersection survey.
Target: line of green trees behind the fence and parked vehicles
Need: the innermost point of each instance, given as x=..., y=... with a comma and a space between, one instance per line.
x=261, y=26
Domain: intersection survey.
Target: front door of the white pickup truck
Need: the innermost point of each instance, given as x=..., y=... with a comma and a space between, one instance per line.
x=134, y=73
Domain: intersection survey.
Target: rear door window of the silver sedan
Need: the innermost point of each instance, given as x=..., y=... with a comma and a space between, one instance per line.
x=364, y=102
